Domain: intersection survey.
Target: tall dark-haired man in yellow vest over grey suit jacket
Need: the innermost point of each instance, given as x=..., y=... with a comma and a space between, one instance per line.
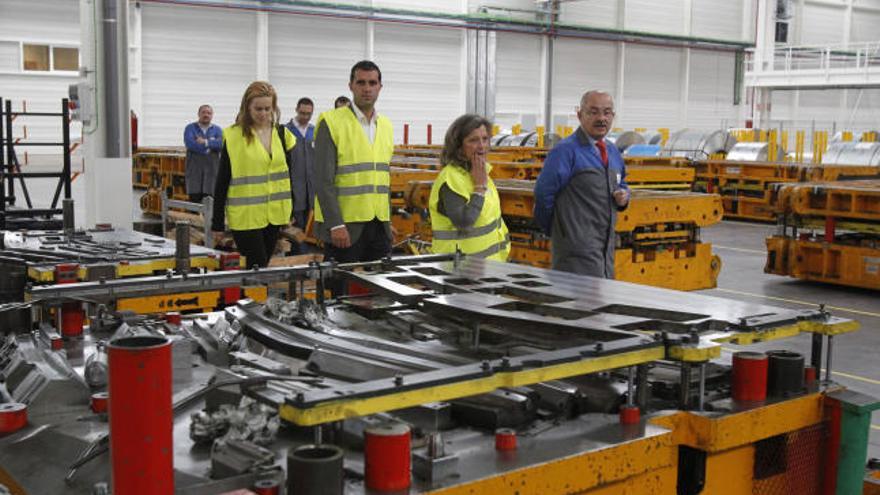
x=353, y=148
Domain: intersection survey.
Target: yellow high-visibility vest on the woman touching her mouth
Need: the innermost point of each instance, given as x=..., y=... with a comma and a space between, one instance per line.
x=487, y=238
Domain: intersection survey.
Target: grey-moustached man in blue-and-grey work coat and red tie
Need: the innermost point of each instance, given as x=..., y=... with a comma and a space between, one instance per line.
x=581, y=188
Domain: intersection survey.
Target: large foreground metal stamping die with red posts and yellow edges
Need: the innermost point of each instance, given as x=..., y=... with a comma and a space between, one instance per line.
x=434, y=374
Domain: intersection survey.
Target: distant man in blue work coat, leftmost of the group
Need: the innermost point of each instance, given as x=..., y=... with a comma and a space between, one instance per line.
x=203, y=140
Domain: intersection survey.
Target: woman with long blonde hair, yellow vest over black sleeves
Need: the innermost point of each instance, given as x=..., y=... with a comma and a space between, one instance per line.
x=252, y=189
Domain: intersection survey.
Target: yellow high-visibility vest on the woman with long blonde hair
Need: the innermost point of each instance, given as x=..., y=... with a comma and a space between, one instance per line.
x=259, y=190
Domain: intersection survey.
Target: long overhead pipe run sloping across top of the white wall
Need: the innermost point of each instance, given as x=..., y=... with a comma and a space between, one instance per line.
x=454, y=21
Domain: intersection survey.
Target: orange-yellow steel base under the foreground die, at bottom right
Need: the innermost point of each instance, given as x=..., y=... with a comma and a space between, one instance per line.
x=649, y=464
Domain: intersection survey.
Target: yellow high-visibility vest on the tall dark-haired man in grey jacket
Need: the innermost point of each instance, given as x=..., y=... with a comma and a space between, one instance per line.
x=363, y=180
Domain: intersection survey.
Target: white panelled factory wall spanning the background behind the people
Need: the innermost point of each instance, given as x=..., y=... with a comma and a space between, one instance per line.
x=423, y=66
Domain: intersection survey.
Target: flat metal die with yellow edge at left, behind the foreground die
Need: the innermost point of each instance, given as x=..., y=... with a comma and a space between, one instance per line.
x=103, y=254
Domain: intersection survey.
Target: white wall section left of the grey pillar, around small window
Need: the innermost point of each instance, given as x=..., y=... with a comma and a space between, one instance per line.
x=37, y=91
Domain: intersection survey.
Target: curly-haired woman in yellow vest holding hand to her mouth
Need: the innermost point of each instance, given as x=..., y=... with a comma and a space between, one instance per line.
x=465, y=207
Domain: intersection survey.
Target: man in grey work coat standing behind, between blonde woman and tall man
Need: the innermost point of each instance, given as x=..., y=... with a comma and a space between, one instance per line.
x=302, y=166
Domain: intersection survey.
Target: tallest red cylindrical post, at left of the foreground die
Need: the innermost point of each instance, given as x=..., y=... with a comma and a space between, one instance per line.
x=141, y=419
